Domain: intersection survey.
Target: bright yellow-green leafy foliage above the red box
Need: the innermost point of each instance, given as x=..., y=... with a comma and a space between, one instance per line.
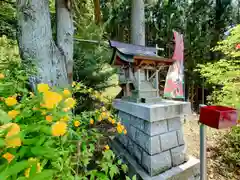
x=224, y=75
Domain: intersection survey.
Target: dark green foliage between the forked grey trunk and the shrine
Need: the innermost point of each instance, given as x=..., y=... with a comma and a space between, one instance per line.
x=91, y=55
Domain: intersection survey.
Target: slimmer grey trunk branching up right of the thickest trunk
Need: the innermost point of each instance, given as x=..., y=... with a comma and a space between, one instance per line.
x=65, y=33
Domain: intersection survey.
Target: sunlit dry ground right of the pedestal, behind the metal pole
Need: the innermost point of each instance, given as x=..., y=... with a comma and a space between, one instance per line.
x=217, y=170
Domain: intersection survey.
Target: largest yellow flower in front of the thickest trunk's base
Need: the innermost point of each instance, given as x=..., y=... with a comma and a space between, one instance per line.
x=51, y=99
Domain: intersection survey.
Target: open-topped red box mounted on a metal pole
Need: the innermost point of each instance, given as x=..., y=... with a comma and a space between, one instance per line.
x=218, y=117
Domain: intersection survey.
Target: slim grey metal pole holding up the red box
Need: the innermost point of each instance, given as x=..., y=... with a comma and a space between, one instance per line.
x=203, y=147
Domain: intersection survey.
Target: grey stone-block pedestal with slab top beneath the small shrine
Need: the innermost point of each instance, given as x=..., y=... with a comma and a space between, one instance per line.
x=155, y=136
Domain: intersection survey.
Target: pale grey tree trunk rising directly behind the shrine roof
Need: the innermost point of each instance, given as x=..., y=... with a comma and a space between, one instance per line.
x=138, y=23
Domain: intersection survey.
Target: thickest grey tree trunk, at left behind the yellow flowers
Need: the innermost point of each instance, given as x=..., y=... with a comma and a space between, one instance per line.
x=36, y=43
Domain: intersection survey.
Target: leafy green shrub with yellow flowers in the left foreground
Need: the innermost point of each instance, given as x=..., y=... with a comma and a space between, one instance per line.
x=41, y=138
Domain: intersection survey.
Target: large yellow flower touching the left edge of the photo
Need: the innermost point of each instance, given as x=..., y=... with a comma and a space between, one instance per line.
x=12, y=139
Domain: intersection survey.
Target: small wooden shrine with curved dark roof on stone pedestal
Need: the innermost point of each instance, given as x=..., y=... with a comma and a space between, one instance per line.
x=138, y=70
